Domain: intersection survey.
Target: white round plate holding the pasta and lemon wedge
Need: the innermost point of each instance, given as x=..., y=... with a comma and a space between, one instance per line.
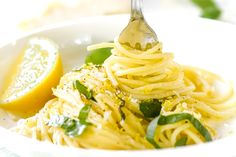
x=198, y=42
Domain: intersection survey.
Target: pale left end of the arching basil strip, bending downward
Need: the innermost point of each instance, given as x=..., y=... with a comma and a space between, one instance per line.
x=151, y=129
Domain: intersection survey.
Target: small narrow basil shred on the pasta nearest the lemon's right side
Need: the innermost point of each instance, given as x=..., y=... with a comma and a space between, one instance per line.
x=83, y=89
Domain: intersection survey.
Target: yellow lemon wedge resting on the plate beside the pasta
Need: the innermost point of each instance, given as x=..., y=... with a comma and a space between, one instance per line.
x=39, y=69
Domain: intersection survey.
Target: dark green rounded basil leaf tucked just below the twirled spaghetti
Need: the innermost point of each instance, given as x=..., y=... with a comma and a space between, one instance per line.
x=150, y=108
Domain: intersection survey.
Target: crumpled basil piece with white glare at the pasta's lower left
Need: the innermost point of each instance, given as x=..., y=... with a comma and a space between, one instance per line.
x=72, y=127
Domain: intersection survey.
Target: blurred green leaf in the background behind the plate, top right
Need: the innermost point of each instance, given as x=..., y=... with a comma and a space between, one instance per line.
x=209, y=8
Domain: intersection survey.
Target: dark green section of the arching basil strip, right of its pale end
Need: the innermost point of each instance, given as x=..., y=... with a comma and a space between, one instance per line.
x=173, y=118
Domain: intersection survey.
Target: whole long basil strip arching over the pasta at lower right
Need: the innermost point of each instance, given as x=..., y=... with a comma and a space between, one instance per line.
x=173, y=118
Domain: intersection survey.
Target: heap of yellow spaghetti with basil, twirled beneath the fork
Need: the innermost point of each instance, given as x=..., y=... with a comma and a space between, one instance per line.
x=134, y=100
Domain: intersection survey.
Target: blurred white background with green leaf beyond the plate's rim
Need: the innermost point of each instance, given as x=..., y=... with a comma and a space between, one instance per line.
x=21, y=16
